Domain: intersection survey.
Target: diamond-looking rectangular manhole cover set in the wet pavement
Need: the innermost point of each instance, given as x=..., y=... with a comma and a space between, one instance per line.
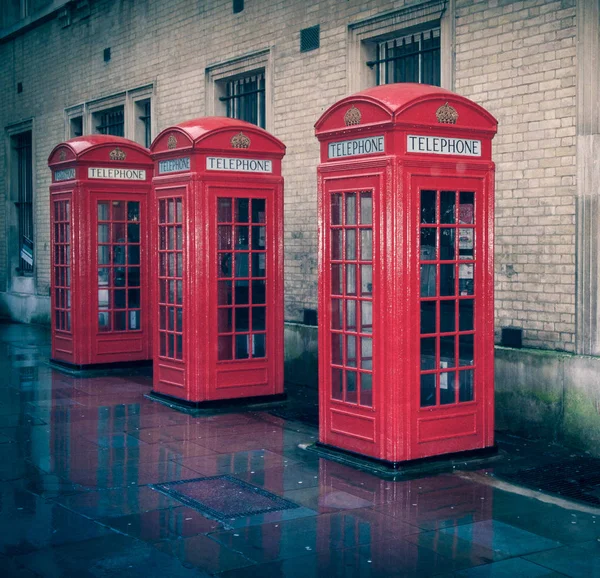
x=224, y=497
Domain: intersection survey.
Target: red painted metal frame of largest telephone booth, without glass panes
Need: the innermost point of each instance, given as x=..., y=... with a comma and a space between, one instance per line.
x=399, y=426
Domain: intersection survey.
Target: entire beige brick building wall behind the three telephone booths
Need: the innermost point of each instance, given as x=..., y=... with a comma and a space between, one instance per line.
x=514, y=58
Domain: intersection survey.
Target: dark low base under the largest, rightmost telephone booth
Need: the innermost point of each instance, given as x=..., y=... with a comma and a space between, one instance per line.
x=408, y=469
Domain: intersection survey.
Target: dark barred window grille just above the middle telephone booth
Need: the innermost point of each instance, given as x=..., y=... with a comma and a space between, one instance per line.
x=245, y=98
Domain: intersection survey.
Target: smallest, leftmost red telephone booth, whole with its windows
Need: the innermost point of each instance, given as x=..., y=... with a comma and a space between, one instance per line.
x=98, y=219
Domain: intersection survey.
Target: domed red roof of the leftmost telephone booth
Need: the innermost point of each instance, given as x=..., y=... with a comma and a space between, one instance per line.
x=91, y=148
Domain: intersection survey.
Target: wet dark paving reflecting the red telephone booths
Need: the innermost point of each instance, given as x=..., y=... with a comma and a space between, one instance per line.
x=81, y=460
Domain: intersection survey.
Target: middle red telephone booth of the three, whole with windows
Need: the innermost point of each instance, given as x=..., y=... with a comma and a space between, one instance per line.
x=218, y=222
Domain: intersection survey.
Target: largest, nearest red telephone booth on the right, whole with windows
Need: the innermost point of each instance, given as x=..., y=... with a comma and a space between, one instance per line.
x=406, y=203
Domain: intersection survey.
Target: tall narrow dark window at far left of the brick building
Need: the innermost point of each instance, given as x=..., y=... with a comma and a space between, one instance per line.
x=23, y=195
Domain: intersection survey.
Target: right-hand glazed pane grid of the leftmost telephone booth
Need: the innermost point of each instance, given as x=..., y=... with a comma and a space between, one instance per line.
x=118, y=261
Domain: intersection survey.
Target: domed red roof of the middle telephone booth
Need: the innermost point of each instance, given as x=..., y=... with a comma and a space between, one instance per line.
x=215, y=132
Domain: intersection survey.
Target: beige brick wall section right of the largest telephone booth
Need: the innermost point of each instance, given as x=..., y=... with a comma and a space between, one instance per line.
x=517, y=59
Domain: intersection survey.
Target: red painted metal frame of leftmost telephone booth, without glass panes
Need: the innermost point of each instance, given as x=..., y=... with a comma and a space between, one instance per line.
x=76, y=338
